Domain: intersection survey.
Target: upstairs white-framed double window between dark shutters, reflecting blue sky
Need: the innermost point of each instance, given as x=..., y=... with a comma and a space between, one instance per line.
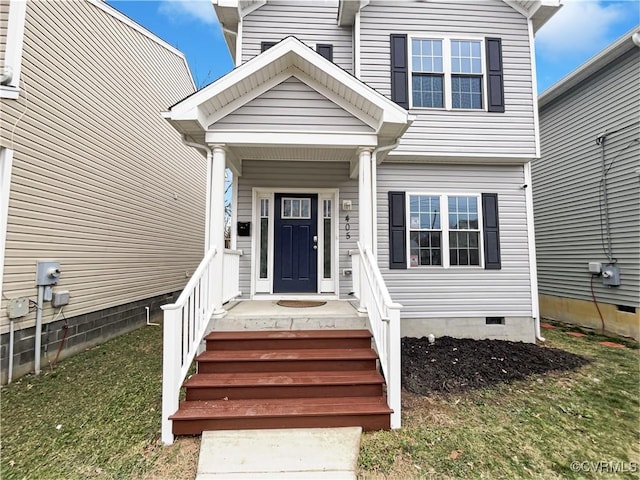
x=447, y=73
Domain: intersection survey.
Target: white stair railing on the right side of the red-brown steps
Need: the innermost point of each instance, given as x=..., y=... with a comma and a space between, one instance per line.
x=384, y=319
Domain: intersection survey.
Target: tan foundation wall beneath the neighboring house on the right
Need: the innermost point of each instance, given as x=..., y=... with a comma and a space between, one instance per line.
x=585, y=313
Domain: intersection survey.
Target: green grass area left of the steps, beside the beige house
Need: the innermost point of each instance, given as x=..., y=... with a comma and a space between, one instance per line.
x=96, y=415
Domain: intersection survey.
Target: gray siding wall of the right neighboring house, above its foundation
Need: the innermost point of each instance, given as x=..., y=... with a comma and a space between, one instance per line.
x=567, y=185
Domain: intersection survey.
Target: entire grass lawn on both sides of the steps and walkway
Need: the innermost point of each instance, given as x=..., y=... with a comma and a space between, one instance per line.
x=98, y=415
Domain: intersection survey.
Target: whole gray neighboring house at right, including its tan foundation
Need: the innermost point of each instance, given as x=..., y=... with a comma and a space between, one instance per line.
x=591, y=113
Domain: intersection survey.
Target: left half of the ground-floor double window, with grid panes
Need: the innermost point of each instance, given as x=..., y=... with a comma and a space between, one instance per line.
x=425, y=236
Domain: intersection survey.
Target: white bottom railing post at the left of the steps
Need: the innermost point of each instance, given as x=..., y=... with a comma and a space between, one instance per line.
x=171, y=359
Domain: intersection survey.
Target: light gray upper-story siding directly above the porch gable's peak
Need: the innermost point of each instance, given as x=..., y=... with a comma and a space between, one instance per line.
x=310, y=22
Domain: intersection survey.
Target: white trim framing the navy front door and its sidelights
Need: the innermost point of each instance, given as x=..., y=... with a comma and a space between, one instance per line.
x=264, y=286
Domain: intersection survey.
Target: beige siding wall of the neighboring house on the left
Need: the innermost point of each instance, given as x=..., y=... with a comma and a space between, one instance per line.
x=100, y=181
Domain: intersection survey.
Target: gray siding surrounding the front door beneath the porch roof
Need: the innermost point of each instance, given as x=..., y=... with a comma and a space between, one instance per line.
x=284, y=175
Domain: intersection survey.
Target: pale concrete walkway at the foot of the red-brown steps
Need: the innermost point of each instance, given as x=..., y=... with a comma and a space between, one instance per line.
x=298, y=453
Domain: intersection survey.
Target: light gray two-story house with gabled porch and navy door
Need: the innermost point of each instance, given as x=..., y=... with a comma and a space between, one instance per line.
x=380, y=150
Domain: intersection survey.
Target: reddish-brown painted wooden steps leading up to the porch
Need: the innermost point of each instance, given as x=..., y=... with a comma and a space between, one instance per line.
x=284, y=379
